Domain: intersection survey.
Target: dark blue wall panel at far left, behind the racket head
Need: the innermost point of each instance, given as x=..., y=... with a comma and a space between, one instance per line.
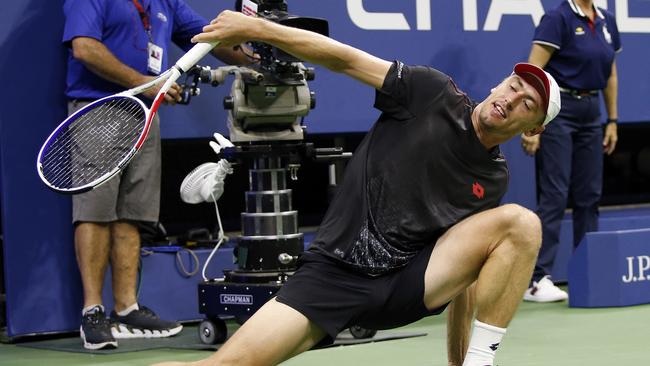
x=41, y=282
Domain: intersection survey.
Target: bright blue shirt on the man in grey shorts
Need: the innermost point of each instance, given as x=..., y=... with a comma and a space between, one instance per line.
x=117, y=24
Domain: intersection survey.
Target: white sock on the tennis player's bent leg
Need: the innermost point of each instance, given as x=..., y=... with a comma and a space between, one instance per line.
x=483, y=344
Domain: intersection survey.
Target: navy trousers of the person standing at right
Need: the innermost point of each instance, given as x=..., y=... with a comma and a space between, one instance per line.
x=570, y=161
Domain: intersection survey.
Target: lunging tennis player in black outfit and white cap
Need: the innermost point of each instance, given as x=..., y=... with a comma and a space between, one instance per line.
x=416, y=226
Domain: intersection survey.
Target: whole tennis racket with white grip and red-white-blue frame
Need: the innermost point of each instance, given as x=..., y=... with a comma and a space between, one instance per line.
x=99, y=140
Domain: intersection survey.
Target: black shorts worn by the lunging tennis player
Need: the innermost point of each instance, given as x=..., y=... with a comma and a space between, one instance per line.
x=335, y=297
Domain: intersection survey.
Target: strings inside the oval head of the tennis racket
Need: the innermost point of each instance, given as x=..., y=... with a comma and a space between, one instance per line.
x=94, y=144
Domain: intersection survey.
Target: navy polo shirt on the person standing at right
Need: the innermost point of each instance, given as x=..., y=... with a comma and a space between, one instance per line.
x=584, y=51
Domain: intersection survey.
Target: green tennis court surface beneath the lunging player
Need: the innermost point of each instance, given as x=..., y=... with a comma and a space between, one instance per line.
x=540, y=335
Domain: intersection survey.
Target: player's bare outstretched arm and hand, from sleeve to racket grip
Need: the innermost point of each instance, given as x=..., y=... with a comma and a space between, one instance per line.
x=231, y=28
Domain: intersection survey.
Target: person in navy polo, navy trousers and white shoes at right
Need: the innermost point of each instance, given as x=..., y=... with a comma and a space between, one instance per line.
x=576, y=43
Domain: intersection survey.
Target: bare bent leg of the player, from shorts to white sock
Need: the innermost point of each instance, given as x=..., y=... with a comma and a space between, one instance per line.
x=496, y=248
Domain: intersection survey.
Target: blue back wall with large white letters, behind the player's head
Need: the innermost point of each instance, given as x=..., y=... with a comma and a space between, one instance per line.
x=476, y=47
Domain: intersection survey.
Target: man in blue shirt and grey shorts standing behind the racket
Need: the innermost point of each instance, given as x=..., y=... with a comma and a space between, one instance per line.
x=116, y=45
